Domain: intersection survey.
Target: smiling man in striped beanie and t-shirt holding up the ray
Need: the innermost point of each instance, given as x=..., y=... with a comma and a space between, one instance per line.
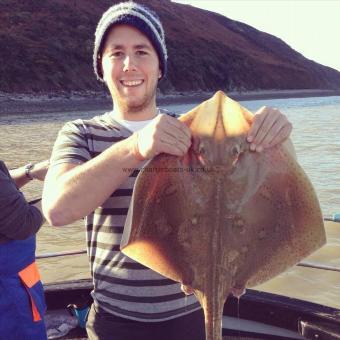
x=87, y=178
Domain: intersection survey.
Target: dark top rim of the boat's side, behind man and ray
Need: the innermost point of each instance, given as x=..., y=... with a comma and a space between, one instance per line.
x=275, y=310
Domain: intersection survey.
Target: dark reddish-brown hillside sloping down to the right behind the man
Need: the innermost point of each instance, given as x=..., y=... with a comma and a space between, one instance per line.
x=46, y=46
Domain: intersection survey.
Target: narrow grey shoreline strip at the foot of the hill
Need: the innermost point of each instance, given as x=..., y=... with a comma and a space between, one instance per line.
x=44, y=103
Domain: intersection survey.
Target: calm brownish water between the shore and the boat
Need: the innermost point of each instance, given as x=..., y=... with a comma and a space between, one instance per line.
x=316, y=138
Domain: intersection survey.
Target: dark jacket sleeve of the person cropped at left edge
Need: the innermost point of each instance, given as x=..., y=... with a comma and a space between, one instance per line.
x=18, y=219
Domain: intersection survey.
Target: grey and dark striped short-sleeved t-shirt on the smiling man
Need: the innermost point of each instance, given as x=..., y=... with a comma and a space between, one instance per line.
x=121, y=285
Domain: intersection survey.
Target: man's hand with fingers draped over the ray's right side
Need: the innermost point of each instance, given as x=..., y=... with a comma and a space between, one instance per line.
x=270, y=127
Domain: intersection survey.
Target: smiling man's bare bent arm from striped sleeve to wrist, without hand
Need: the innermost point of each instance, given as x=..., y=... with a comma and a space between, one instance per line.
x=75, y=193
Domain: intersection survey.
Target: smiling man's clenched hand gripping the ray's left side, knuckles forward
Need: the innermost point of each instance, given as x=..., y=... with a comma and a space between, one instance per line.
x=165, y=134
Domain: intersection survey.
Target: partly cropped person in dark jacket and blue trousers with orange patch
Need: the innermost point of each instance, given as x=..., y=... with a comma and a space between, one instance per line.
x=22, y=303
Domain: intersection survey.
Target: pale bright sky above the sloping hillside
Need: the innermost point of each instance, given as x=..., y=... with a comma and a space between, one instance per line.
x=311, y=27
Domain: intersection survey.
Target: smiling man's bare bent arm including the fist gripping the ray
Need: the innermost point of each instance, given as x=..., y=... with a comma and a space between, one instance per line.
x=72, y=191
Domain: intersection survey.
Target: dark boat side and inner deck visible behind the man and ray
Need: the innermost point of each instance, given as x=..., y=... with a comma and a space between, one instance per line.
x=257, y=315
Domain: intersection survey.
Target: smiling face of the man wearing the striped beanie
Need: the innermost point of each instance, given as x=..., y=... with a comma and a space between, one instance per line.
x=130, y=68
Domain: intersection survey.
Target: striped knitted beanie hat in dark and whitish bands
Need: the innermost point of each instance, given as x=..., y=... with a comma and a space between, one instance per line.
x=142, y=18
